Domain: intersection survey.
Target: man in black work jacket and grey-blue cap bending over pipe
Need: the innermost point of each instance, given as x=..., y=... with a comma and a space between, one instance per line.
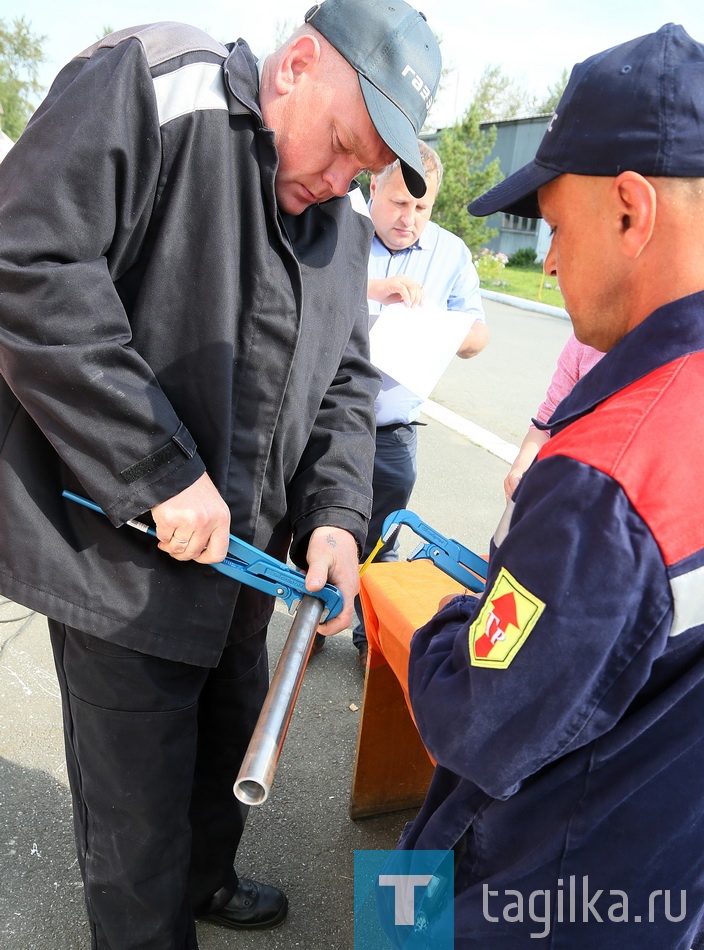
x=183, y=332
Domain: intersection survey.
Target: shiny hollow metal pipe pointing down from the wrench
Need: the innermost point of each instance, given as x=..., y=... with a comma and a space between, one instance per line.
x=256, y=774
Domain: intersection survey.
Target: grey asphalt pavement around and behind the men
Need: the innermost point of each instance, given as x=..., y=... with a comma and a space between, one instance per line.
x=302, y=838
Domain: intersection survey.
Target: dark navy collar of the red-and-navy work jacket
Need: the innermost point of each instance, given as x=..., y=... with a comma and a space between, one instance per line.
x=669, y=333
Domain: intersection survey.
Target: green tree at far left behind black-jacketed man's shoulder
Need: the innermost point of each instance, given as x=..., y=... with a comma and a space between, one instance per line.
x=20, y=56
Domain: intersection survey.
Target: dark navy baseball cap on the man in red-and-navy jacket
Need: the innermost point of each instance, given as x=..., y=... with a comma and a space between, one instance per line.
x=635, y=107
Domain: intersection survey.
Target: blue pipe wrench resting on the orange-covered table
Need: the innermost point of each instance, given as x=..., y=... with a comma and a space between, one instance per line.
x=463, y=565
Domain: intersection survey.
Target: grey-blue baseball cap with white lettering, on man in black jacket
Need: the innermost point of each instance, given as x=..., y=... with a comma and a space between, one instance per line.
x=398, y=62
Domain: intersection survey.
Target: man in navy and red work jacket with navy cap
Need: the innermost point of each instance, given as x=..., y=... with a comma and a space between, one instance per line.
x=564, y=706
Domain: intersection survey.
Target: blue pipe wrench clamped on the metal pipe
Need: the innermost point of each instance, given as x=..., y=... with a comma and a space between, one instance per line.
x=255, y=568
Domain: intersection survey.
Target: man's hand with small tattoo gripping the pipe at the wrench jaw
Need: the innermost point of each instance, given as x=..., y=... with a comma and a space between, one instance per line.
x=332, y=559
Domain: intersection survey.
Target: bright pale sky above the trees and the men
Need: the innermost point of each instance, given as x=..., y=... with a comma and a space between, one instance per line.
x=531, y=40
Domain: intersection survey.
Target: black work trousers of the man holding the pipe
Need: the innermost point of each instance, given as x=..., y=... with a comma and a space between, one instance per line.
x=153, y=748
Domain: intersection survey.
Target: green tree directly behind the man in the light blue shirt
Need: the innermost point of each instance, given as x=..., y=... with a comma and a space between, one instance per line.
x=464, y=148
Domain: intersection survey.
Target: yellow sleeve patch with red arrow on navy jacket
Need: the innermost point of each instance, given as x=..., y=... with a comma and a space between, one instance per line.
x=502, y=627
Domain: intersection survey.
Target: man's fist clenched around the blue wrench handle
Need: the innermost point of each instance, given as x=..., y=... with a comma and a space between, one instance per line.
x=195, y=524
